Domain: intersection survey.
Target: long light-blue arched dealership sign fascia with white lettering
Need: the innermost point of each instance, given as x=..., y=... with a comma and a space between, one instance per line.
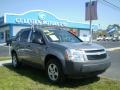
x=39, y=17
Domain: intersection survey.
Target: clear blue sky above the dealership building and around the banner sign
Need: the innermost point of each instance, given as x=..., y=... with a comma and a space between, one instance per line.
x=73, y=10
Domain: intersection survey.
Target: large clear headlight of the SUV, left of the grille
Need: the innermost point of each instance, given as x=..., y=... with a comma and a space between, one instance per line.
x=74, y=55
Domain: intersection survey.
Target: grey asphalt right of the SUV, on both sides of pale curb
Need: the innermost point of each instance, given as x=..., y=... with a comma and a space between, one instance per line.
x=113, y=71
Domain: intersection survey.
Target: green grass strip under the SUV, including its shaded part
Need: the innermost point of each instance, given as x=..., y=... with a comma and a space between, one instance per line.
x=28, y=78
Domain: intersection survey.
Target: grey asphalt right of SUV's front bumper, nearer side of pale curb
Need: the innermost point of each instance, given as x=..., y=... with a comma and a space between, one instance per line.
x=114, y=71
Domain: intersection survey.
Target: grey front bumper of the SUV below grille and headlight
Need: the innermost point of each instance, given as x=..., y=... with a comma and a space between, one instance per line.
x=90, y=68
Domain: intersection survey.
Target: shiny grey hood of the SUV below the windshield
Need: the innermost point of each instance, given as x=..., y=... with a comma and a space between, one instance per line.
x=82, y=46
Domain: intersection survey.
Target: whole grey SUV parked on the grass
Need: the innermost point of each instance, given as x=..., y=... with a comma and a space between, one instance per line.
x=59, y=53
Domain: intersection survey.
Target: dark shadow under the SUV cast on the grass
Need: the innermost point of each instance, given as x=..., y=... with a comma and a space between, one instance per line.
x=40, y=76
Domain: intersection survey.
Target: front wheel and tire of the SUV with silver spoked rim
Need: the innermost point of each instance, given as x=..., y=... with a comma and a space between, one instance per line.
x=54, y=71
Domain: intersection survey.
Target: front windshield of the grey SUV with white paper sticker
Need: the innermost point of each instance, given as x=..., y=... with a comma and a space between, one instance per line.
x=61, y=36
